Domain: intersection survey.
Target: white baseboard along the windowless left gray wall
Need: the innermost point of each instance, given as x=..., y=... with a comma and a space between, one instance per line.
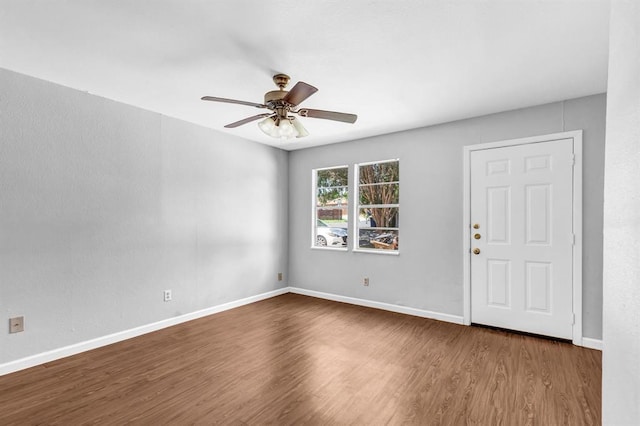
x=38, y=359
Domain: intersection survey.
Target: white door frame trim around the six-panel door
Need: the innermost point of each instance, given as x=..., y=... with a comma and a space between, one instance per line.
x=576, y=135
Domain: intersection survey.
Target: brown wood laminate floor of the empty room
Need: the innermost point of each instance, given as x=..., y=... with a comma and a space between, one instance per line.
x=298, y=360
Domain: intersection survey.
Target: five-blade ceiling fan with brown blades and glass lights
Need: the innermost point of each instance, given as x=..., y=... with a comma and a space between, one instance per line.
x=278, y=123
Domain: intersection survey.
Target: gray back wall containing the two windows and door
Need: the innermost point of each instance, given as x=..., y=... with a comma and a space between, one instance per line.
x=428, y=272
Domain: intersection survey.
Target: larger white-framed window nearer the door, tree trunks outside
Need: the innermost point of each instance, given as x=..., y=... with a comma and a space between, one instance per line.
x=377, y=224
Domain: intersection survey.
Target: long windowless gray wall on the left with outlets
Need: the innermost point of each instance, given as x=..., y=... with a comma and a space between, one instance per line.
x=103, y=206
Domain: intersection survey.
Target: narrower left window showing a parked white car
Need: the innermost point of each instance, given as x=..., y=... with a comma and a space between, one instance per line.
x=331, y=193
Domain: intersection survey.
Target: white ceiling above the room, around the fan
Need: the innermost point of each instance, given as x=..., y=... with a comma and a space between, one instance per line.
x=397, y=64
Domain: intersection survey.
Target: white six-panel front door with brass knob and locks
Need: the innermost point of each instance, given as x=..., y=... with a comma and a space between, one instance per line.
x=522, y=237
